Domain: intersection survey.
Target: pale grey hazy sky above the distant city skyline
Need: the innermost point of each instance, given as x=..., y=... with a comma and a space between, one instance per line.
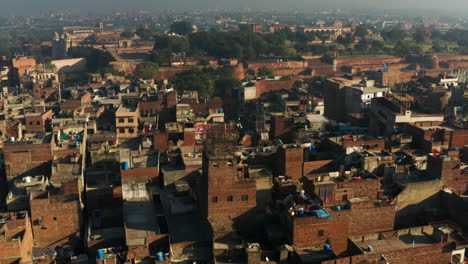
x=27, y=6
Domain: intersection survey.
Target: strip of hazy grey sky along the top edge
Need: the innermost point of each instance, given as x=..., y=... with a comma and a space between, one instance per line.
x=84, y=7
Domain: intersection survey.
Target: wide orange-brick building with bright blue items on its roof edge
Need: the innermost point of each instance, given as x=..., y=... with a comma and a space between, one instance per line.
x=361, y=215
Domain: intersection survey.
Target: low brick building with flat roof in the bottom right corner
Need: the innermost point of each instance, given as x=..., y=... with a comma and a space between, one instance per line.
x=433, y=244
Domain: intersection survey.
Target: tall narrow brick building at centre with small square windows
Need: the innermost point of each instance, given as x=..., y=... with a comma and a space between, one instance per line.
x=229, y=193
